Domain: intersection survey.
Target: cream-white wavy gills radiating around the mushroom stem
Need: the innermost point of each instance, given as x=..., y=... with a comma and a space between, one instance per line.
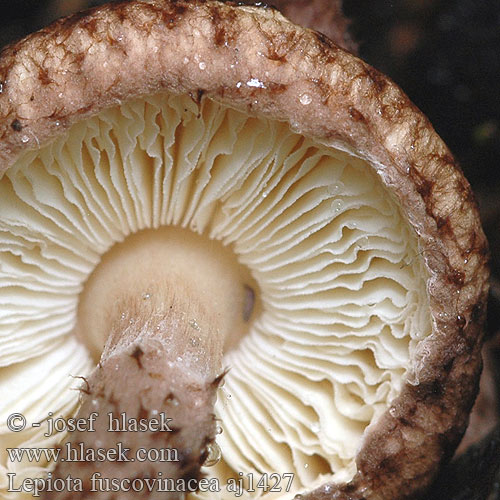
x=339, y=277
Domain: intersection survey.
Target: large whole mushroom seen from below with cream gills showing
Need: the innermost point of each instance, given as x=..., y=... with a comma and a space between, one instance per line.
x=194, y=186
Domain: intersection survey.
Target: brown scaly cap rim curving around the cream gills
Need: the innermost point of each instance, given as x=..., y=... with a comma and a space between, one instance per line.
x=254, y=60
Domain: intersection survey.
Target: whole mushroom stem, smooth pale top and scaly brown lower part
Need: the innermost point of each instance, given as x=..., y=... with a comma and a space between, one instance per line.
x=169, y=303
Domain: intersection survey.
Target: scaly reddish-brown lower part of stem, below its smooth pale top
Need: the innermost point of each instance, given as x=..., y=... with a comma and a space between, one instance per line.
x=152, y=420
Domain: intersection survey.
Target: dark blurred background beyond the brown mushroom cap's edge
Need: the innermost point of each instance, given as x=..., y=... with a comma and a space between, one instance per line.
x=446, y=56
